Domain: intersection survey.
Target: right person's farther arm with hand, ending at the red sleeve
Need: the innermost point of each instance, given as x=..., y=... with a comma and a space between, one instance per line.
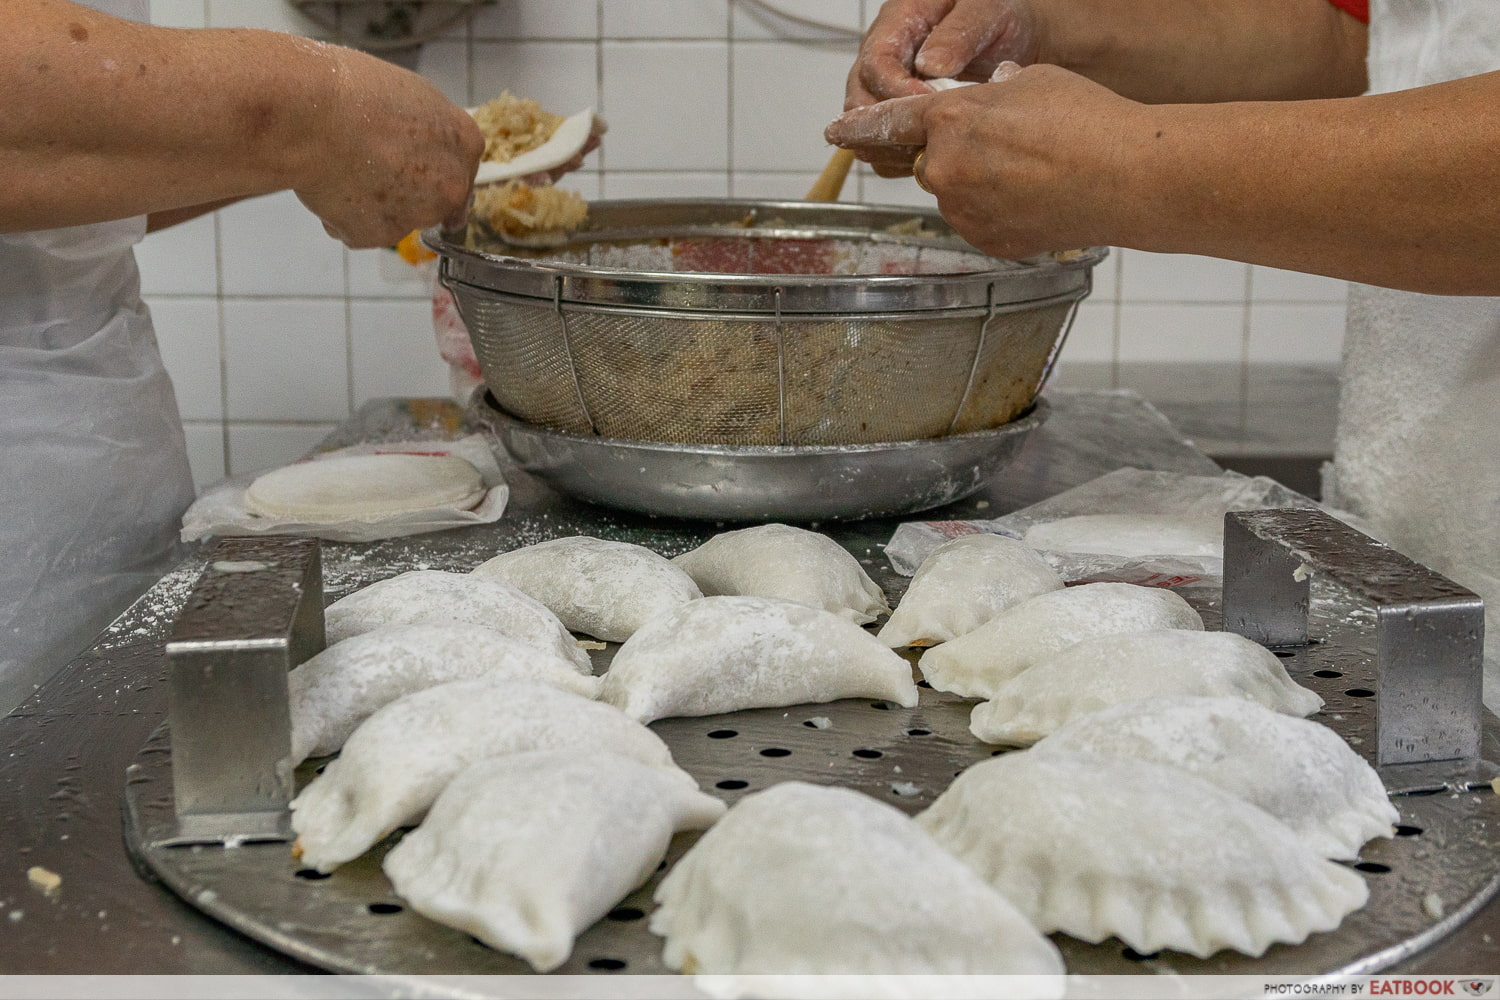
x=1148, y=50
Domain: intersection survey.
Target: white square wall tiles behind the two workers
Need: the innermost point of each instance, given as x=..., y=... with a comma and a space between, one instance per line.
x=275, y=334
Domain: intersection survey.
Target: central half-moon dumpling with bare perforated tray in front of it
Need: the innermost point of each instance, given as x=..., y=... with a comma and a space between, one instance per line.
x=724, y=654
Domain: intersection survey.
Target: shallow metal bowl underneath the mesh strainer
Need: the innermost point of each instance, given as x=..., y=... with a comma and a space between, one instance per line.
x=760, y=482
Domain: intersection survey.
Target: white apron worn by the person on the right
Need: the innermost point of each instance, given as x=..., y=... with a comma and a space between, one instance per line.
x=1418, y=449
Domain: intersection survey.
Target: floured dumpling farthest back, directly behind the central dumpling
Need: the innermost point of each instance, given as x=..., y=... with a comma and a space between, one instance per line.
x=788, y=563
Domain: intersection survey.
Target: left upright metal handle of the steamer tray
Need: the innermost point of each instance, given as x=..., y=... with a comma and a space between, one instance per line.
x=254, y=614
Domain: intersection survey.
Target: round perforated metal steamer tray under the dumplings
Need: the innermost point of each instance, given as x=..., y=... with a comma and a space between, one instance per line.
x=1442, y=867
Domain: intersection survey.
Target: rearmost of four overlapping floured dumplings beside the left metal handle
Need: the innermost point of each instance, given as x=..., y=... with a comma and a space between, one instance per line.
x=434, y=596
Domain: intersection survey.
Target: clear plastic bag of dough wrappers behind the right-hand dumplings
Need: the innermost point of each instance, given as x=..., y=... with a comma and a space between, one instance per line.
x=1184, y=506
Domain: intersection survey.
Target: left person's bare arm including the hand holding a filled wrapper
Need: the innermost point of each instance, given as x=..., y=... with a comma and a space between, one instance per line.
x=109, y=119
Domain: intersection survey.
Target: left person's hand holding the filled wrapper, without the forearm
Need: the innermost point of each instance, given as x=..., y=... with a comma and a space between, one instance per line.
x=397, y=155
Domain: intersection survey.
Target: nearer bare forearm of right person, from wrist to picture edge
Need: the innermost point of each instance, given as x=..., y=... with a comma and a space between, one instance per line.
x=1393, y=190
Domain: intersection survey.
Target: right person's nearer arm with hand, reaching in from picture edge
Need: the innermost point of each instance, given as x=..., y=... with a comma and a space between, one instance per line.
x=1393, y=190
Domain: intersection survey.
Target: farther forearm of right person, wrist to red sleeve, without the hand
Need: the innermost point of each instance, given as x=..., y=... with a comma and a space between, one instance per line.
x=1184, y=52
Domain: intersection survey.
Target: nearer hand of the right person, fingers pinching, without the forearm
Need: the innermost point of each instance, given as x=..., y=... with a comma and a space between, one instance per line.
x=1033, y=163
